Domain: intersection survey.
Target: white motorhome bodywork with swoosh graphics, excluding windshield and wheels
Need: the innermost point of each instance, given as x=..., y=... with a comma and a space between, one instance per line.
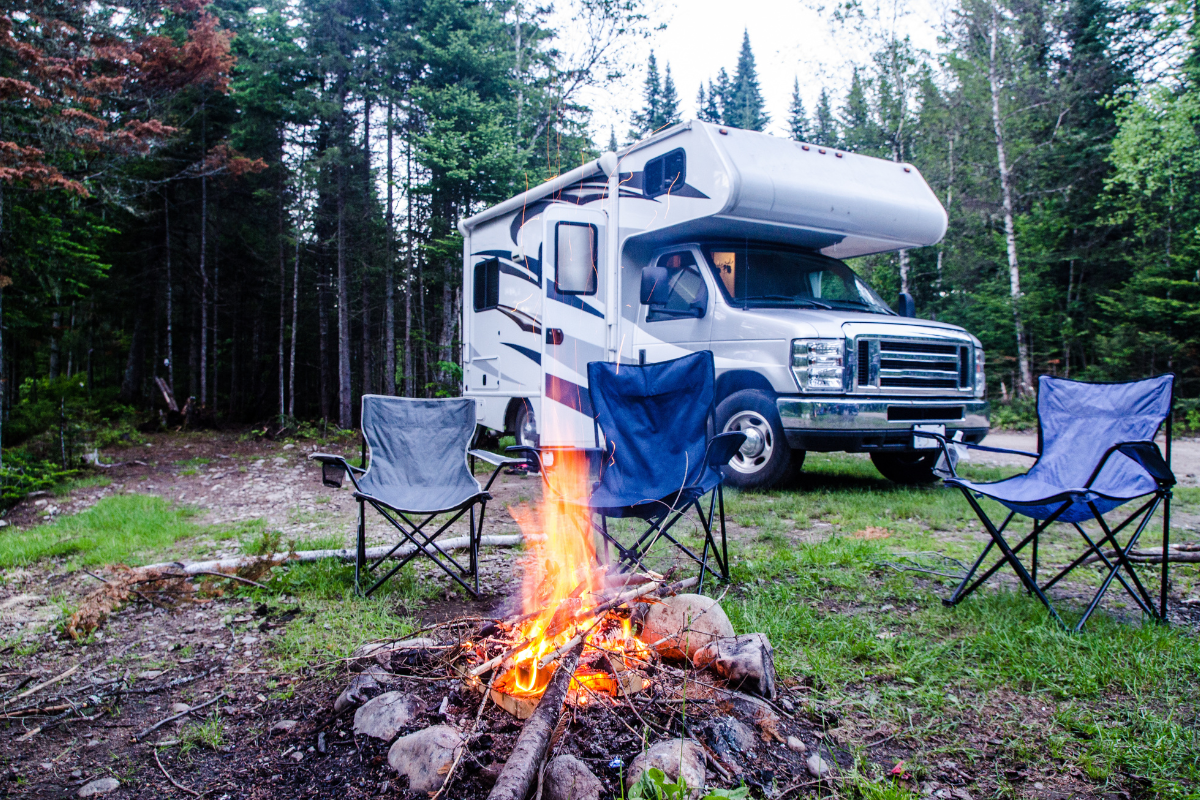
x=533, y=321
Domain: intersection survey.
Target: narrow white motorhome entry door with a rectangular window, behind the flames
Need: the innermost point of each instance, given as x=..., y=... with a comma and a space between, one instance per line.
x=574, y=321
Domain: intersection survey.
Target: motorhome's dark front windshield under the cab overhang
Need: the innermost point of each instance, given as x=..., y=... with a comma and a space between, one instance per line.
x=760, y=276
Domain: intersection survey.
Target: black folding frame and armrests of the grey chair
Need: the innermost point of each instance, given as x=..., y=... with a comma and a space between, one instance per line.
x=335, y=468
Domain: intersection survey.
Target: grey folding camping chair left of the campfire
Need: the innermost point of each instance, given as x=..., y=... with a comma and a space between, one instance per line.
x=418, y=468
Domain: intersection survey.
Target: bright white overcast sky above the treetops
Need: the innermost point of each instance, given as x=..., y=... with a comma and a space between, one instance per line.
x=790, y=39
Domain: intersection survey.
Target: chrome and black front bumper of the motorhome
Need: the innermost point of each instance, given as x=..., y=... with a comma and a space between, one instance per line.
x=866, y=425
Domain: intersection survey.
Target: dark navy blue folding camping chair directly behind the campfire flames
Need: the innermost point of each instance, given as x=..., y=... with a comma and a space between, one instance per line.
x=656, y=459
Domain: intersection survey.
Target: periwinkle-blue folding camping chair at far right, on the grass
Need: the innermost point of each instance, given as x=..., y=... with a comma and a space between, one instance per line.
x=1096, y=453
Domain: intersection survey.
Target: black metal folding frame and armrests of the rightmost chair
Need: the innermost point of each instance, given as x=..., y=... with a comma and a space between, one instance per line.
x=1151, y=460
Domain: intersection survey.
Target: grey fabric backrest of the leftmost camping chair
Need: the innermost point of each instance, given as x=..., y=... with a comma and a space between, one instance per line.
x=418, y=443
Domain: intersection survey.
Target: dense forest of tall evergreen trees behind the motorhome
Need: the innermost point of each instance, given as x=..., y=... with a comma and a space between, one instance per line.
x=254, y=203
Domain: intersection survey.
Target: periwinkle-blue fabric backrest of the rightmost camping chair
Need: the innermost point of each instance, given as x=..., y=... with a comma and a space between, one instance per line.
x=1079, y=423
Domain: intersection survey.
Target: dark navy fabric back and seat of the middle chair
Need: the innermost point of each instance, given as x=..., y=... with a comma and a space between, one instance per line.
x=655, y=419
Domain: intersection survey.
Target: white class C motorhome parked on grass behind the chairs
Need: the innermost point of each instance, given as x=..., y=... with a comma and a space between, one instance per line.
x=711, y=238
